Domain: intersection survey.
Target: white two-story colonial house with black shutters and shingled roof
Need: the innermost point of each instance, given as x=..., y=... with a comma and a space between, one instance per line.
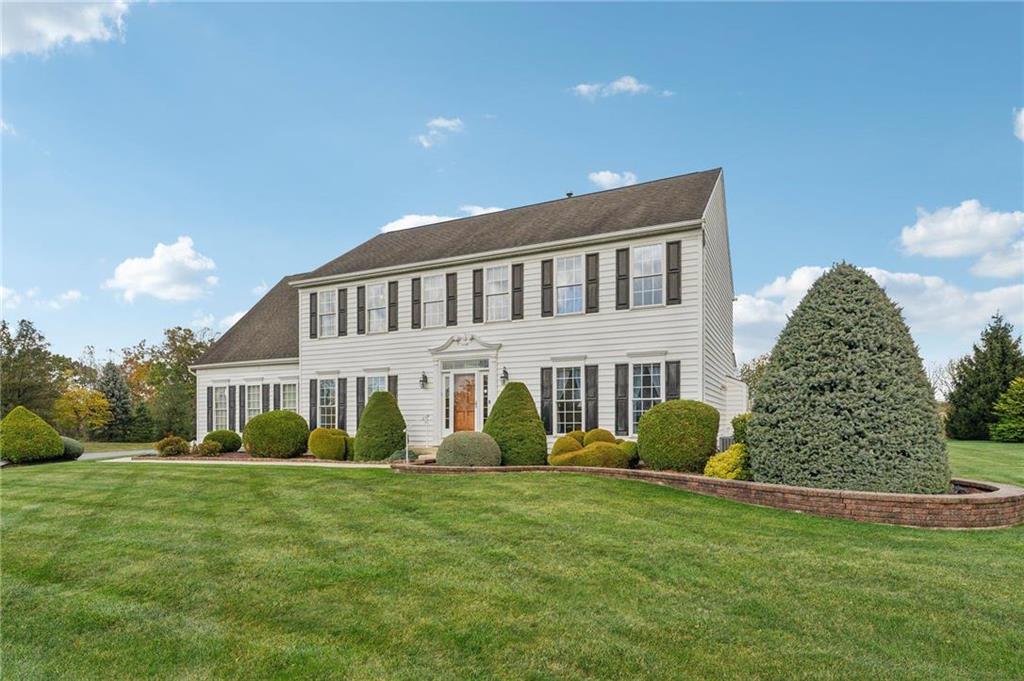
x=604, y=305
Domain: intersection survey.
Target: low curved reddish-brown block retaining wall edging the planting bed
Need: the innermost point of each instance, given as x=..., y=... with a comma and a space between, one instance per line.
x=995, y=505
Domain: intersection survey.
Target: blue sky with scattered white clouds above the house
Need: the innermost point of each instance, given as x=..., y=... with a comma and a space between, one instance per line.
x=255, y=141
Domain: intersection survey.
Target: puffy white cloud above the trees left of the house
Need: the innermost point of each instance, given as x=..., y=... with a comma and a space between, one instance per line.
x=173, y=273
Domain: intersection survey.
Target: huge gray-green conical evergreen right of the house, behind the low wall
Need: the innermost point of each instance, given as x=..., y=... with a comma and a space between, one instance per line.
x=845, y=403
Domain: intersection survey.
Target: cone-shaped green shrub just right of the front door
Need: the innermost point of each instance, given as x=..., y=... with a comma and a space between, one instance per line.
x=518, y=429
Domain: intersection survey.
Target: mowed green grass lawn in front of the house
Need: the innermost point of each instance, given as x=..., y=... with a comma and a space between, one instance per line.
x=136, y=571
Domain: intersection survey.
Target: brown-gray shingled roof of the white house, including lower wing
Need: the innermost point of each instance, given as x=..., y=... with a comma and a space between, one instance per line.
x=271, y=329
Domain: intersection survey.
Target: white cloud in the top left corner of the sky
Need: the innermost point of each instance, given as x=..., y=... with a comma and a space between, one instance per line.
x=37, y=28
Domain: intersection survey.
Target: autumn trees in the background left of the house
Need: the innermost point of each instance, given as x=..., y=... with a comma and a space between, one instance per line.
x=139, y=395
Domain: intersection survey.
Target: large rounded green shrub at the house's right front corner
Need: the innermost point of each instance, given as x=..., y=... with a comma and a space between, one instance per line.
x=679, y=435
